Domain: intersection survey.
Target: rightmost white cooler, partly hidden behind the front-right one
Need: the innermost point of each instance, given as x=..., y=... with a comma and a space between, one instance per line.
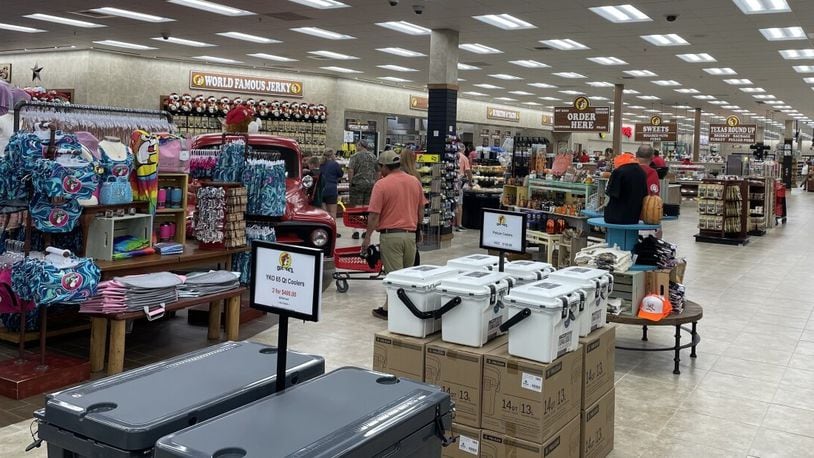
x=598, y=284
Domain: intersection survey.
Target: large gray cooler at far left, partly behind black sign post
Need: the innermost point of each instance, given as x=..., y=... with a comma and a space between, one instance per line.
x=124, y=415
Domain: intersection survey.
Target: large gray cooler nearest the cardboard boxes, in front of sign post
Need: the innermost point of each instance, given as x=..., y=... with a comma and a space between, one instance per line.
x=350, y=412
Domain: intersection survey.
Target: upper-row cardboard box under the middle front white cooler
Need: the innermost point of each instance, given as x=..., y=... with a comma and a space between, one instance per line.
x=458, y=370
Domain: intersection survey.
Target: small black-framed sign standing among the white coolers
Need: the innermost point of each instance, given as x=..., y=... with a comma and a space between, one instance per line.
x=503, y=231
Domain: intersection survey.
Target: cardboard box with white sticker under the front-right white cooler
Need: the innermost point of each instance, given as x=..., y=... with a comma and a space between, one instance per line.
x=529, y=400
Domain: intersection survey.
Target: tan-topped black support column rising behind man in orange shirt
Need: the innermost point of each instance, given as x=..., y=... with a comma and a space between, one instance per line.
x=442, y=88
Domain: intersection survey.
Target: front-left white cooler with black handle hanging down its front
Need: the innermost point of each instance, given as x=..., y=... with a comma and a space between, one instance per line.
x=418, y=283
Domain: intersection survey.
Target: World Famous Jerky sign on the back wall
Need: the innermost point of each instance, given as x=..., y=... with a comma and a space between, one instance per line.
x=259, y=85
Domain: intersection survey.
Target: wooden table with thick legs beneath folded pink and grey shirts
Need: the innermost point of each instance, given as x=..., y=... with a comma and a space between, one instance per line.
x=115, y=357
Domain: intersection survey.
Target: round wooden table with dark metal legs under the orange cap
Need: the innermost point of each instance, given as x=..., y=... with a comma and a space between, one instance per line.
x=692, y=314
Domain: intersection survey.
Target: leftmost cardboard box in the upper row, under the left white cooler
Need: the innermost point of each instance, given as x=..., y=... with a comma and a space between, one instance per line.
x=402, y=356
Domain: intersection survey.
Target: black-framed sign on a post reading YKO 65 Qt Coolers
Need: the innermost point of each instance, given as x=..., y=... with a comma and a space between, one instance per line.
x=286, y=280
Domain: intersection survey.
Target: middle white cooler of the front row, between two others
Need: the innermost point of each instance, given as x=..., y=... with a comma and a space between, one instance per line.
x=478, y=317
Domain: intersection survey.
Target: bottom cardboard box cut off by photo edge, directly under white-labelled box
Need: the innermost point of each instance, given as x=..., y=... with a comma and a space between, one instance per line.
x=564, y=444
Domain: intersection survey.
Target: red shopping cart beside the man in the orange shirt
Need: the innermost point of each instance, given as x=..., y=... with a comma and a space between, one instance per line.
x=348, y=259
